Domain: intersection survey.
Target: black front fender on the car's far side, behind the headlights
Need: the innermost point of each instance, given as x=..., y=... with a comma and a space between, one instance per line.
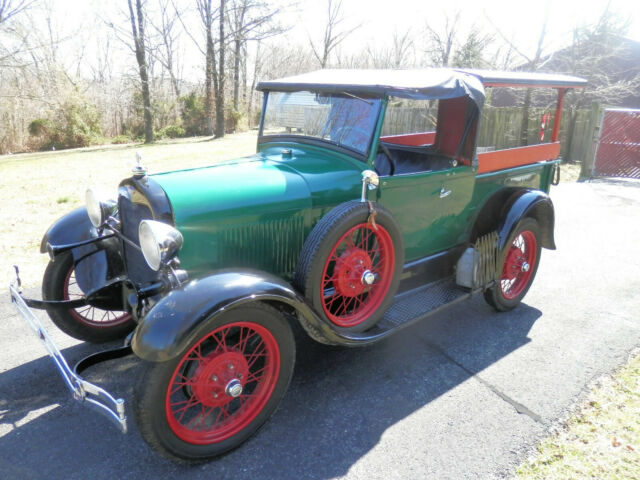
x=97, y=263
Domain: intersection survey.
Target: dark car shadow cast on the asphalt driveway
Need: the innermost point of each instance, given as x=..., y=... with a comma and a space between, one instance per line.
x=339, y=404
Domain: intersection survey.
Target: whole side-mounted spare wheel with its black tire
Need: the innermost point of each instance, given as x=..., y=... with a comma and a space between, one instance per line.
x=315, y=263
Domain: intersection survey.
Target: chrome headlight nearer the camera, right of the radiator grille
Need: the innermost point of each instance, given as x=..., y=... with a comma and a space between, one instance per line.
x=159, y=242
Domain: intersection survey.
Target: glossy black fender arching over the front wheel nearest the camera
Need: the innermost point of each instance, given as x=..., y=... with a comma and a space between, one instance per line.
x=182, y=316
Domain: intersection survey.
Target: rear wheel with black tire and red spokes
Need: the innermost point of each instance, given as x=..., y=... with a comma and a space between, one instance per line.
x=508, y=292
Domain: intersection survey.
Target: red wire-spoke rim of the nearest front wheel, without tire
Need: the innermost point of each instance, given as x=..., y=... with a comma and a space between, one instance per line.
x=198, y=403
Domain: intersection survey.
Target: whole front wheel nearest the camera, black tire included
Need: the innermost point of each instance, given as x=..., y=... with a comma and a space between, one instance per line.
x=170, y=434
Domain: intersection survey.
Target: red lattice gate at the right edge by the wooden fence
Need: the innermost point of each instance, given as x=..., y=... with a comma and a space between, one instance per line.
x=618, y=151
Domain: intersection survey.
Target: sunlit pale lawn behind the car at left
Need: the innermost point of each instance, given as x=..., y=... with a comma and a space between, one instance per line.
x=38, y=188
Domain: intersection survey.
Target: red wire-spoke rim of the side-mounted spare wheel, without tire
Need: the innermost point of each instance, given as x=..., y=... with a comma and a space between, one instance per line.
x=347, y=300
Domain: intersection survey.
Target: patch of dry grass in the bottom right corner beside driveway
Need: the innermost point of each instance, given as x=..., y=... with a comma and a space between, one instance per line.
x=602, y=438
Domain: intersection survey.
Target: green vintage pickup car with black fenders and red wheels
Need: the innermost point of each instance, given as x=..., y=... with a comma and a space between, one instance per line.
x=367, y=207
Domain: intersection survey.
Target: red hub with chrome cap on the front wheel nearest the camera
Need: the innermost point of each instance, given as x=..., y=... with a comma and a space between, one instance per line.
x=219, y=380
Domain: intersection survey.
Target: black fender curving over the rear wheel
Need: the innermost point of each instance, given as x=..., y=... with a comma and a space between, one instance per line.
x=528, y=203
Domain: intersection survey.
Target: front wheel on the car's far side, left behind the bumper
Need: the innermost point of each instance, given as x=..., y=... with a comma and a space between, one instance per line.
x=86, y=323
